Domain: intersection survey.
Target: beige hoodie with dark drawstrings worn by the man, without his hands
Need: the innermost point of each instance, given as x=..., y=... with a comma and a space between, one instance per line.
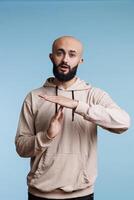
x=66, y=166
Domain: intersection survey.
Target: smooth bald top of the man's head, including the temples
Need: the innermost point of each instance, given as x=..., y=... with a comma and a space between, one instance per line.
x=71, y=42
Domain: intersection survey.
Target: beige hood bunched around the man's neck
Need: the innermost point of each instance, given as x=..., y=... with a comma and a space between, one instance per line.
x=77, y=86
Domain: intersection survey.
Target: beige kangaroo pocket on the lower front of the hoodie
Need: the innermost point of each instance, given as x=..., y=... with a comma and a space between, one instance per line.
x=60, y=171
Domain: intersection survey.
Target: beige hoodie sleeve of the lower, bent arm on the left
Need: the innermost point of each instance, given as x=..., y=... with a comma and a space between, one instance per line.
x=28, y=142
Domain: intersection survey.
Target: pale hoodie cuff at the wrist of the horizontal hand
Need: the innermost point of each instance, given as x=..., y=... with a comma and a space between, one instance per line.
x=82, y=108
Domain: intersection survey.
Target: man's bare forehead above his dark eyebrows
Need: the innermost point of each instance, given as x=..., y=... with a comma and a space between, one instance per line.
x=67, y=44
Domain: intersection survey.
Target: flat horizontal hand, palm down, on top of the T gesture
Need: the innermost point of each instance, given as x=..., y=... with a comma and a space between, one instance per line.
x=61, y=100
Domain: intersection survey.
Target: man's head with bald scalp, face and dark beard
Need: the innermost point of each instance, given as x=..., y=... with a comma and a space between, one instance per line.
x=66, y=57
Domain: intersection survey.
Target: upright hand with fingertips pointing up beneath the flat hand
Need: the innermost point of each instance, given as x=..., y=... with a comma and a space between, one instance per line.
x=55, y=124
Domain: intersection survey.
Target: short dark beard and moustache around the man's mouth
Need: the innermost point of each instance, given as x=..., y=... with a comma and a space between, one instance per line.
x=64, y=77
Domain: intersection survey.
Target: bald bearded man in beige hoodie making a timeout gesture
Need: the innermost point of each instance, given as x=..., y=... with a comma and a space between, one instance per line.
x=58, y=128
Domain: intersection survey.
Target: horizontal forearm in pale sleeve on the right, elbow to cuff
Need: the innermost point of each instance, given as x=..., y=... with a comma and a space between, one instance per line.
x=113, y=119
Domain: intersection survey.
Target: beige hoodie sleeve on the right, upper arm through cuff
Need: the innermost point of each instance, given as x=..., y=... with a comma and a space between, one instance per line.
x=103, y=111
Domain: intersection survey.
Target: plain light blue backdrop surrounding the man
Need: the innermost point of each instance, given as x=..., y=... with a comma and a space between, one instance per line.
x=27, y=30
